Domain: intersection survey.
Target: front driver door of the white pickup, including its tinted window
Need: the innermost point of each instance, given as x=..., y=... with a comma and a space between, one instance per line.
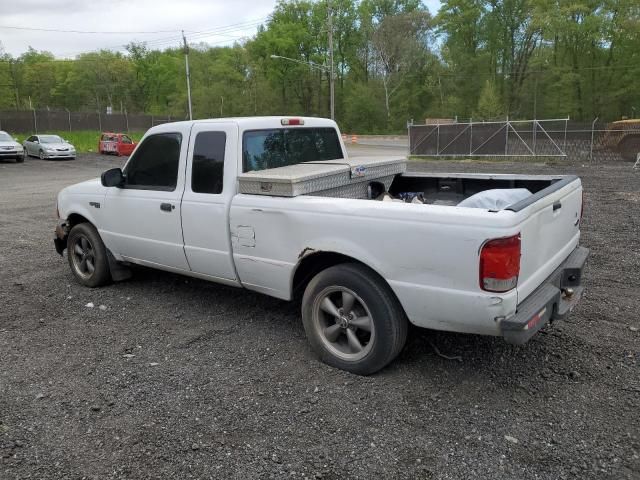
x=142, y=218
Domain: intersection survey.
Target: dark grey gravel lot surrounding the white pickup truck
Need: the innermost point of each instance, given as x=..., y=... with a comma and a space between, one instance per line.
x=178, y=378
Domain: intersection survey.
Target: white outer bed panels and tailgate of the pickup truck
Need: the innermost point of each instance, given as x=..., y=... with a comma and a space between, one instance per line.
x=438, y=288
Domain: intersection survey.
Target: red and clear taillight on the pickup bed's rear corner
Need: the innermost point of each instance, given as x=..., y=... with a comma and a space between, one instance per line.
x=500, y=264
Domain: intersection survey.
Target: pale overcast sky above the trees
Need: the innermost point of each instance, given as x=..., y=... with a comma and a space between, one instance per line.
x=158, y=22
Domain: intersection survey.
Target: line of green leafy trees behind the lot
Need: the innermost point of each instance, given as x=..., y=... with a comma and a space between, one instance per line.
x=393, y=61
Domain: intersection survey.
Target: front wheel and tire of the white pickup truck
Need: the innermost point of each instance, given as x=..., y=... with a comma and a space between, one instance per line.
x=87, y=256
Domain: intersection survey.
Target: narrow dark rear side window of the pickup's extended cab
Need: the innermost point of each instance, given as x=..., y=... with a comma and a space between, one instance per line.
x=208, y=162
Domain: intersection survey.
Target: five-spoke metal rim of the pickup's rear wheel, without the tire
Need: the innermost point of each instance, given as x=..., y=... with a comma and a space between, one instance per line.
x=343, y=323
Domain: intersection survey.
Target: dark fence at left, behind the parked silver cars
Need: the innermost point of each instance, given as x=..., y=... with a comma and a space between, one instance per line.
x=42, y=121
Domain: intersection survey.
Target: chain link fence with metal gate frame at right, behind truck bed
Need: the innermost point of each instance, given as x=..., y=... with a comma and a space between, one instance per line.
x=562, y=138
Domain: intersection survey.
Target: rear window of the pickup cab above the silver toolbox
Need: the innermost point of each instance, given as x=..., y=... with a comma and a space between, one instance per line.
x=279, y=147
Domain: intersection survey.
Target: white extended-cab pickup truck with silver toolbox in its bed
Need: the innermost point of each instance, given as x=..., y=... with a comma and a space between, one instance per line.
x=364, y=268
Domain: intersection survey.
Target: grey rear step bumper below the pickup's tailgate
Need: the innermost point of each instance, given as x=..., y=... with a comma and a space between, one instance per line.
x=552, y=300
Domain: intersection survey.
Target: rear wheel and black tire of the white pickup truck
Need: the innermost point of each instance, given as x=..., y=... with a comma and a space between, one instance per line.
x=352, y=319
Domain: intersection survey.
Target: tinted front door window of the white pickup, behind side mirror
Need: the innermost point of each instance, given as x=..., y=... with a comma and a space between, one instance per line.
x=155, y=164
